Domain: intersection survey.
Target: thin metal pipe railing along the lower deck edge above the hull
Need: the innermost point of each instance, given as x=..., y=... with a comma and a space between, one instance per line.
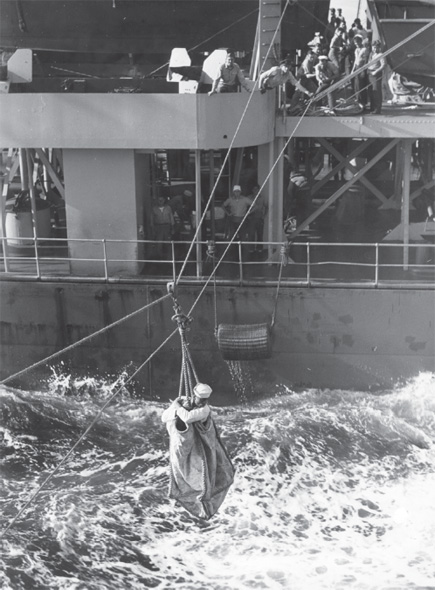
x=307, y=264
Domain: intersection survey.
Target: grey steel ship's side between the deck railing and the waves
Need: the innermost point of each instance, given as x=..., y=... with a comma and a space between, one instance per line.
x=363, y=339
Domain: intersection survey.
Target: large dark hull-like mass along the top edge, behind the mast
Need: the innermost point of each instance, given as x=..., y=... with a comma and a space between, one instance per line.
x=104, y=38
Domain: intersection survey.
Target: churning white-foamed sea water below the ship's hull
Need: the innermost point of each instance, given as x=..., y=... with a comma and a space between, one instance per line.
x=333, y=490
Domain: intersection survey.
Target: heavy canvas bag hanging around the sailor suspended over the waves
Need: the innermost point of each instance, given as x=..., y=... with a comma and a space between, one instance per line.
x=200, y=470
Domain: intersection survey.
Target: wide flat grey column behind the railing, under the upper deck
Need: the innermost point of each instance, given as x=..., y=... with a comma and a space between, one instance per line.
x=101, y=203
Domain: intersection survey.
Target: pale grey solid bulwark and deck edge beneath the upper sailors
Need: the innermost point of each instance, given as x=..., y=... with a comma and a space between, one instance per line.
x=185, y=121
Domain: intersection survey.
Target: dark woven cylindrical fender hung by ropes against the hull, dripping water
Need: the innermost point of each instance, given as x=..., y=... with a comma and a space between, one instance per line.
x=246, y=342
